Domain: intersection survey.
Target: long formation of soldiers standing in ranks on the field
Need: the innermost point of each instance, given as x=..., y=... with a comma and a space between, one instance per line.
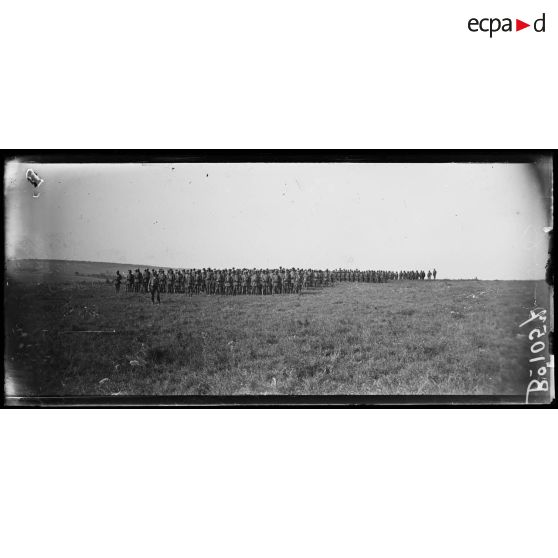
x=252, y=281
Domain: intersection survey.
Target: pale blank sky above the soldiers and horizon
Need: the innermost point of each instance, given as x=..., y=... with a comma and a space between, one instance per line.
x=467, y=220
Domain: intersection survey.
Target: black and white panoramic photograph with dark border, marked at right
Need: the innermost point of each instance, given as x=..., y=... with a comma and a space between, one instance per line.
x=229, y=281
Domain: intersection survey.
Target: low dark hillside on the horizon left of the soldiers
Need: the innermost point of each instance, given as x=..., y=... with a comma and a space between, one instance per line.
x=56, y=271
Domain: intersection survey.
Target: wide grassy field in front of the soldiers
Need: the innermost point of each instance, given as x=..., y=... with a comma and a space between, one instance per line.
x=443, y=337
